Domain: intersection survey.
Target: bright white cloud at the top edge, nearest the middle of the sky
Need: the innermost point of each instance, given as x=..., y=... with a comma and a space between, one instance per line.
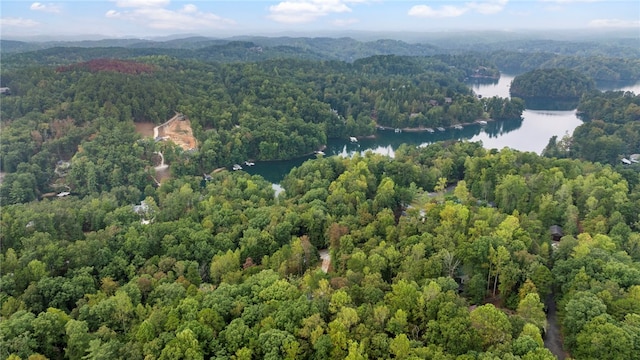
x=303, y=11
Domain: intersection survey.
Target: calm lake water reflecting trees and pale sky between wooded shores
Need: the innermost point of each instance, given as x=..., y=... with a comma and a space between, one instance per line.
x=531, y=133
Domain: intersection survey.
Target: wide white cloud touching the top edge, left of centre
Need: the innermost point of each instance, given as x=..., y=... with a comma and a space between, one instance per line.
x=155, y=15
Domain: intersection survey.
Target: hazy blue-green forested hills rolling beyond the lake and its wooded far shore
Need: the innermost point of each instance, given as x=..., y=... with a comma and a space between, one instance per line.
x=606, y=59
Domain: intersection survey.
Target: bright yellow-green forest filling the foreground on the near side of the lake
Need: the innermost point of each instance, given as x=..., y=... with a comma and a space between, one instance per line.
x=226, y=270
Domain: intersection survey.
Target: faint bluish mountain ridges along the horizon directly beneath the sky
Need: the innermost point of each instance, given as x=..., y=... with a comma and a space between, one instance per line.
x=351, y=48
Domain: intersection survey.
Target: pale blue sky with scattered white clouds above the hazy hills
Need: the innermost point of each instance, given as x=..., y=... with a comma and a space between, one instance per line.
x=149, y=18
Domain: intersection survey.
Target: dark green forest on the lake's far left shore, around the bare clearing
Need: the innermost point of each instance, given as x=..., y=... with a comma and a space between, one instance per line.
x=275, y=109
